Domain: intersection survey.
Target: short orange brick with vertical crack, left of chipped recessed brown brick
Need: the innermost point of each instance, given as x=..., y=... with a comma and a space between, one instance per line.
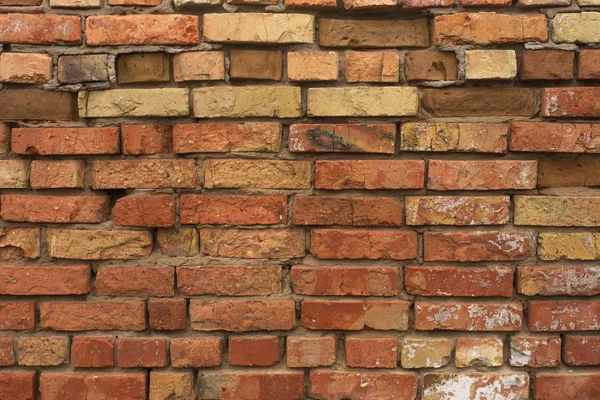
x=372, y=66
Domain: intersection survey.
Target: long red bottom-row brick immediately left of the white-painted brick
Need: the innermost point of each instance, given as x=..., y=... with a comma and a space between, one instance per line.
x=362, y=385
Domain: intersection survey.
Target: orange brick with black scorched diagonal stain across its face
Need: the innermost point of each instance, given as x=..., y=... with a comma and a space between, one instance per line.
x=342, y=138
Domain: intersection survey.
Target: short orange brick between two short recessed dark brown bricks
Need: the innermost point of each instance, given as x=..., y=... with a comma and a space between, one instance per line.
x=199, y=66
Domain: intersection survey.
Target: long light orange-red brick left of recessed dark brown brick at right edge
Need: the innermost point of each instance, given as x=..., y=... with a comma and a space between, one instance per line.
x=481, y=175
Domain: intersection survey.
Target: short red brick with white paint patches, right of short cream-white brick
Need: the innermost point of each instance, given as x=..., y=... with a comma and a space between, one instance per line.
x=534, y=351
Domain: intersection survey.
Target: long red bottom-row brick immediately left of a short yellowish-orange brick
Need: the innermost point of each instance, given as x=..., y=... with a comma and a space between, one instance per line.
x=92, y=386
